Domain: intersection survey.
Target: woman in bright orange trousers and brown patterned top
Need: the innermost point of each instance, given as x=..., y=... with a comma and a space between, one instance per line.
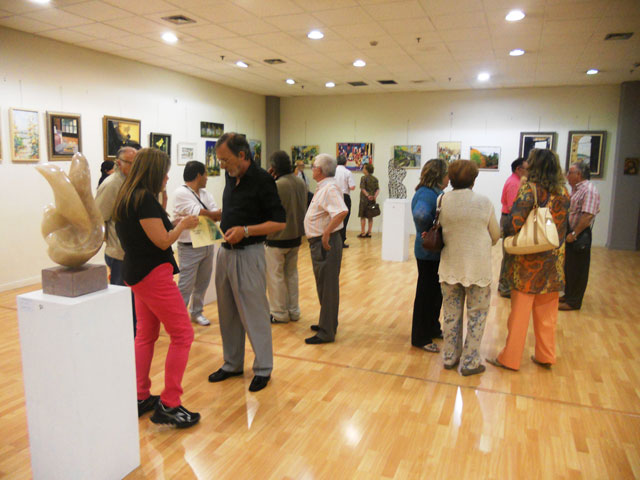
x=537, y=278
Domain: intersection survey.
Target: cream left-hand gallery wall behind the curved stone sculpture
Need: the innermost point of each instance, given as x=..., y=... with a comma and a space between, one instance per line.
x=41, y=74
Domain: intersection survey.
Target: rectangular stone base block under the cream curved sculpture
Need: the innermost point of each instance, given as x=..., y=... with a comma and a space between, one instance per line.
x=73, y=282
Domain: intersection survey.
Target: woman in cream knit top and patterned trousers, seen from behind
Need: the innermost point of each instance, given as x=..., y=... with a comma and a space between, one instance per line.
x=469, y=229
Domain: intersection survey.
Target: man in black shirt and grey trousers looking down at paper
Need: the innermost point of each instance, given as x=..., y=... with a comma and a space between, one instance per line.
x=251, y=210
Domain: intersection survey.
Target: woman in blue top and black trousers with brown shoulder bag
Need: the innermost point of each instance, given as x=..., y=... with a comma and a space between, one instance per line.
x=426, y=307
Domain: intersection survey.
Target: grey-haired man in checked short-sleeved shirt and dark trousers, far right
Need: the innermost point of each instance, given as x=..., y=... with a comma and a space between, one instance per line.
x=585, y=205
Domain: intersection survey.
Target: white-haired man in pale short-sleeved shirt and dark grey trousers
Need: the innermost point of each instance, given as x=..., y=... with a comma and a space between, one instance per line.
x=322, y=225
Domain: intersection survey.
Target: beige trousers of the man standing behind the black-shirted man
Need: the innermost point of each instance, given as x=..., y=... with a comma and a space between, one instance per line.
x=282, y=282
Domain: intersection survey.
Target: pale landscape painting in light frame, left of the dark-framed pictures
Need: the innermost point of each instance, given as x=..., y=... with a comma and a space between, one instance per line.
x=24, y=127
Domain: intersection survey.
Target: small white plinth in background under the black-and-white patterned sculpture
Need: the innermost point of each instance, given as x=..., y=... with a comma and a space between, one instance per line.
x=395, y=229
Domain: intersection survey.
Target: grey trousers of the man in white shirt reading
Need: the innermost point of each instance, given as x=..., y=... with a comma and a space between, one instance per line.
x=196, y=267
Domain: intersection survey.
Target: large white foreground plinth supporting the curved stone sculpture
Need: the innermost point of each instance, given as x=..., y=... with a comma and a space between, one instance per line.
x=78, y=365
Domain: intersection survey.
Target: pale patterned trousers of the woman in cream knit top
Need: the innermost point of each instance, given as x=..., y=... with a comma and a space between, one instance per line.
x=478, y=301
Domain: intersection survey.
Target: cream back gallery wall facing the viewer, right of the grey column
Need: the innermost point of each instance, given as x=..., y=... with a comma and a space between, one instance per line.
x=486, y=117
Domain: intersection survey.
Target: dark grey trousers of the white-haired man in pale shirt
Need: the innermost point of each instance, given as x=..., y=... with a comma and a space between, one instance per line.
x=326, y=269
